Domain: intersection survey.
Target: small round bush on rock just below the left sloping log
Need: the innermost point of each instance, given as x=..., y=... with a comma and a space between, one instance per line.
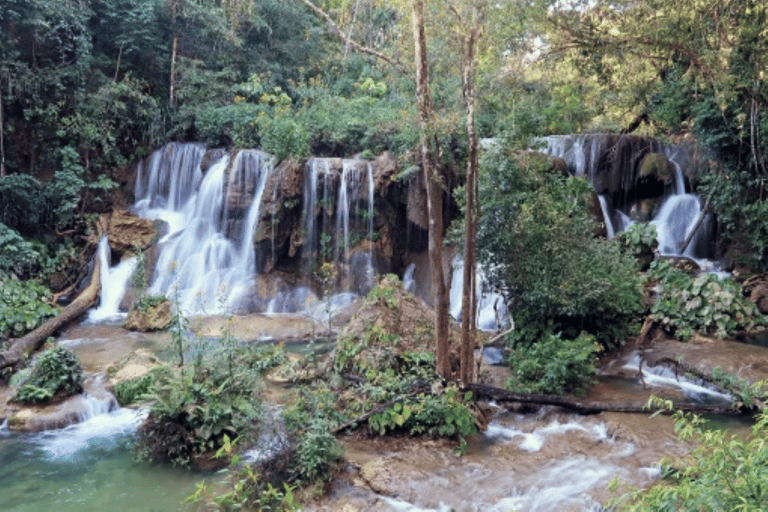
x=55, y=370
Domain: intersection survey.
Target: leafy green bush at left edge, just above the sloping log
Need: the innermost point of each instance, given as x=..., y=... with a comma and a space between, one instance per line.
x=23, y=307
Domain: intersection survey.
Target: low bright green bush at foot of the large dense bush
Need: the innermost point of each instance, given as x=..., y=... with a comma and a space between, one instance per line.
x=554, y=365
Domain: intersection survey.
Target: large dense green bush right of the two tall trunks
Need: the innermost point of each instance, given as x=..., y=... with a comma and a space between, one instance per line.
x=561, y=278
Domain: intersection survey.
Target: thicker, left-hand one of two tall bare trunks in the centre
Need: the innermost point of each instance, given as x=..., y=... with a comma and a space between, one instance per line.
x=433, y=183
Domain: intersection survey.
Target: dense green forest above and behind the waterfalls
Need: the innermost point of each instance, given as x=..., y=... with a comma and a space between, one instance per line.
x=88, y=86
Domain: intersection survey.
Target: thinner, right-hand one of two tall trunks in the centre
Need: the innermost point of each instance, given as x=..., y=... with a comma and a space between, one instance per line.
x=469, y=297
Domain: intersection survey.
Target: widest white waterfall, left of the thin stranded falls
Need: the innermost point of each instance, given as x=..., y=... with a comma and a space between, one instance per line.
x=207, y=262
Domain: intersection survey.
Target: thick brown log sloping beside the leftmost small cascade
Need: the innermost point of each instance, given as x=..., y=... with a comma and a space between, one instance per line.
x=23, y=347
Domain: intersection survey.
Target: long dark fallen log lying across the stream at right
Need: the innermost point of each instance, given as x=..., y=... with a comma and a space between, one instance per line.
x=582, y=407
